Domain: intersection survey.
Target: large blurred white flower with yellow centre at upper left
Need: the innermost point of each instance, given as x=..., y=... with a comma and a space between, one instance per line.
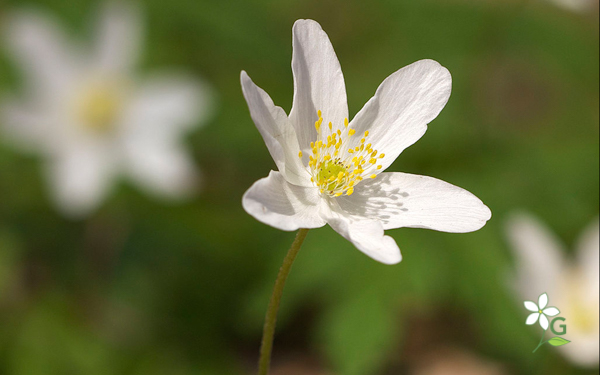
x=91, y=117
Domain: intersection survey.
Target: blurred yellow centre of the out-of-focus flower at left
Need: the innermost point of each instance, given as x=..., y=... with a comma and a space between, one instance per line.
x=98, y=108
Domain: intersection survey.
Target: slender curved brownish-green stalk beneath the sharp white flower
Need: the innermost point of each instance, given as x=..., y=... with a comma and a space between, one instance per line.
x=271, y=317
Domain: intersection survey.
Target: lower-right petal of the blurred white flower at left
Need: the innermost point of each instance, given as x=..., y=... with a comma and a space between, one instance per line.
x=162, y=169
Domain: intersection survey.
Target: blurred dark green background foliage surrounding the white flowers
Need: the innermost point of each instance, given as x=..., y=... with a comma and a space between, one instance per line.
x=146, y=287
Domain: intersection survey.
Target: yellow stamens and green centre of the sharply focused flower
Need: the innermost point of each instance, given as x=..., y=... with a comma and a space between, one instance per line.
x=336, y=169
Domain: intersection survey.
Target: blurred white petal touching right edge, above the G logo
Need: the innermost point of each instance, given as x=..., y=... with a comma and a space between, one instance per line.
x=588, y=262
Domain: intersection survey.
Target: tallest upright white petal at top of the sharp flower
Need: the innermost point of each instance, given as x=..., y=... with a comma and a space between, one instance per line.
x=318, y=82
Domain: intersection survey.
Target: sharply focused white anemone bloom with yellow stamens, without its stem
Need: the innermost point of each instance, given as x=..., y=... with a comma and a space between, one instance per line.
x=330, y=170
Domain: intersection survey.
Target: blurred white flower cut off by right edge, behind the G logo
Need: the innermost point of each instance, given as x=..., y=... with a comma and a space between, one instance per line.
x=574, y=286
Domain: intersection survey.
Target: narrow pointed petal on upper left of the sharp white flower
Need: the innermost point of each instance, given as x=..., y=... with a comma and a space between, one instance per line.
x=278, y=134
